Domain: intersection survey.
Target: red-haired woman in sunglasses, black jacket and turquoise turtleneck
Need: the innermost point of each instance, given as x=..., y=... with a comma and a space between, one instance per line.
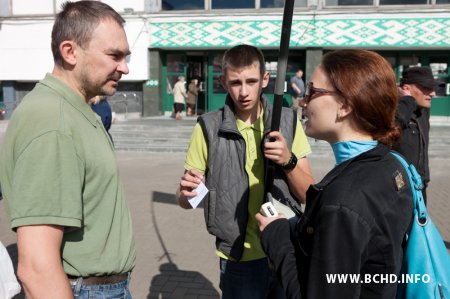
x=348, y=243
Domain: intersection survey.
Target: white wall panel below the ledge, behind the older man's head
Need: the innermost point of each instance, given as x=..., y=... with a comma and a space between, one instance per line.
x=25, y=53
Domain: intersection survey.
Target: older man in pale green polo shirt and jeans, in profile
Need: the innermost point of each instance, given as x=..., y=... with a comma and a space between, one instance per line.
x=58, y=170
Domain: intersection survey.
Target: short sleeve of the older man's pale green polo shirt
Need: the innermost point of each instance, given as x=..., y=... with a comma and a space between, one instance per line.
x=47, y=183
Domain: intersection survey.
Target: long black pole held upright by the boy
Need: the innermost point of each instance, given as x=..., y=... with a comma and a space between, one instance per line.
x=279, y=86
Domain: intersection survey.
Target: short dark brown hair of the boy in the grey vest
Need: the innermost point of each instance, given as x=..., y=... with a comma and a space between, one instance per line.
x=243, y=56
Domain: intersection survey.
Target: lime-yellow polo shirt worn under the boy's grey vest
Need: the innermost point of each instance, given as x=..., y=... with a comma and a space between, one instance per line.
x=197, y=158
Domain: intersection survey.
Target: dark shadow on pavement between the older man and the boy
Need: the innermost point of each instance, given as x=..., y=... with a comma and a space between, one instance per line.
x=171, y=282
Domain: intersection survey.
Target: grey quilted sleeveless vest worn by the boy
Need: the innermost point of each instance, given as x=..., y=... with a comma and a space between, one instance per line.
x=226, y=205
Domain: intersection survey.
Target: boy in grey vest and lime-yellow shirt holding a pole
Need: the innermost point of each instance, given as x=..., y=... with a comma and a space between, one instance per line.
x=227, y=150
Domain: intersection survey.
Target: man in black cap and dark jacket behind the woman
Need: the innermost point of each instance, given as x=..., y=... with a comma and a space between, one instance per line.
x=417, y=88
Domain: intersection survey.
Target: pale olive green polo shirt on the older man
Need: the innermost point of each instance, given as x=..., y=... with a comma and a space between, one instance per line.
x=58, y=167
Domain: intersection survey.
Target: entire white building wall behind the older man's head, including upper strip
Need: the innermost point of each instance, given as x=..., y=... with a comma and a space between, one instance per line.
x=25, y=53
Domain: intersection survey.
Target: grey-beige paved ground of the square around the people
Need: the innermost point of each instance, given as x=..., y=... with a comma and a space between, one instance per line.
x=175, y=253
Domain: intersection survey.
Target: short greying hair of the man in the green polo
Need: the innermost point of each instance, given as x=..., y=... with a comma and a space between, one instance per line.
x=77, y=21
